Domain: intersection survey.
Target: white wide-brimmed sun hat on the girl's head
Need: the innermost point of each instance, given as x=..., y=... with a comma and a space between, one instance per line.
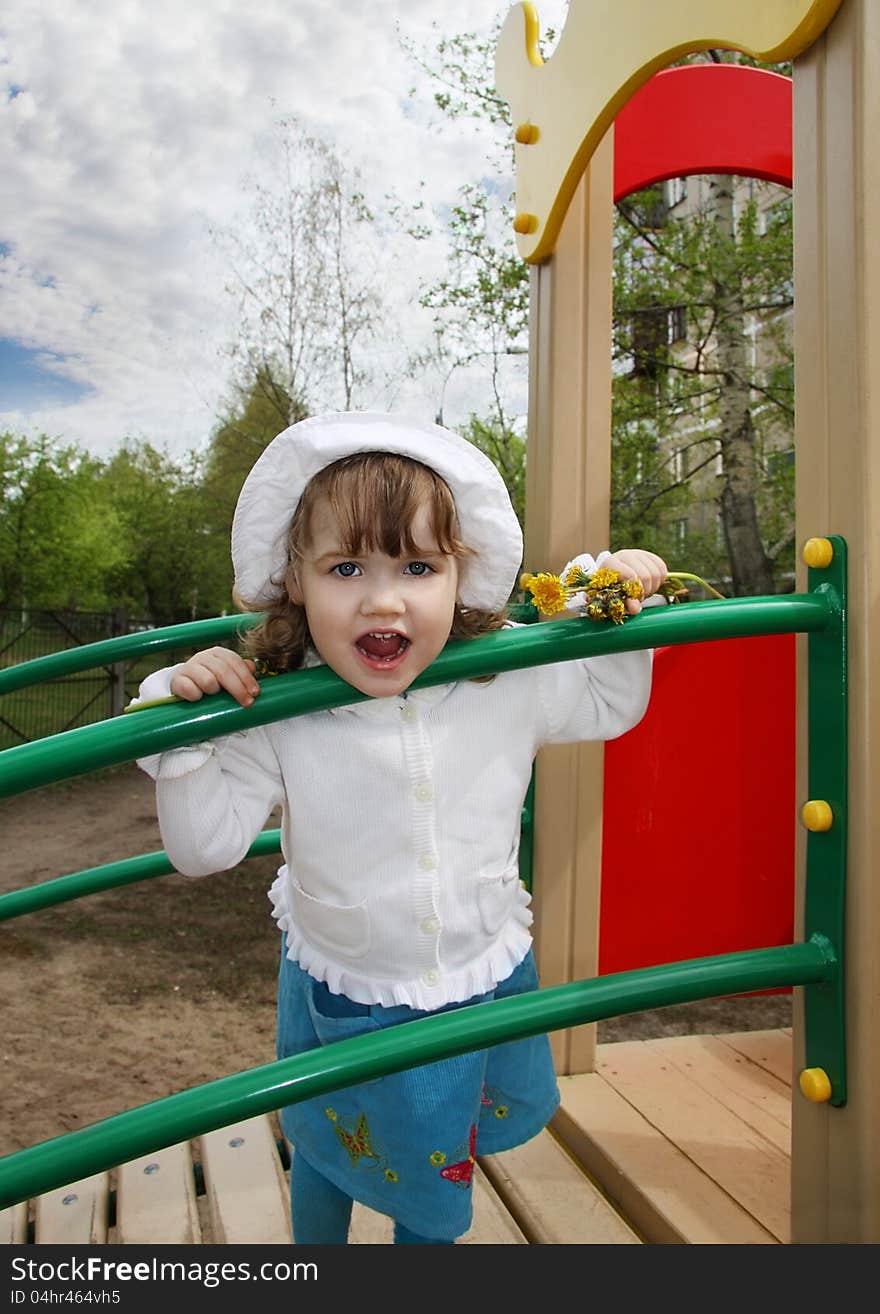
x=278, y=480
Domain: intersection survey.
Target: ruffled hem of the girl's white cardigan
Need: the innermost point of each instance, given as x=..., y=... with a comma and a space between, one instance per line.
x=477, y=978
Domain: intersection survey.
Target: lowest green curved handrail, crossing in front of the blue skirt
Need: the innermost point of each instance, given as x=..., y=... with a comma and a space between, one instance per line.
x=245, y=1095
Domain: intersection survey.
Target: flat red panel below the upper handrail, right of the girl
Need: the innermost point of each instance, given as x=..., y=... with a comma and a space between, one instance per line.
x=699, y=809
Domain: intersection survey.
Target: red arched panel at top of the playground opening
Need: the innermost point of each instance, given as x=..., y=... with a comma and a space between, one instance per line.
x=705, y=119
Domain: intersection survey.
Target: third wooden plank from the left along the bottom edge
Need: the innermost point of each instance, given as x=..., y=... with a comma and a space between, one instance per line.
x=156, y=1200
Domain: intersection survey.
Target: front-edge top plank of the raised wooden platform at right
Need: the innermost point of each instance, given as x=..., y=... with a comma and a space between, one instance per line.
x=743, y=1161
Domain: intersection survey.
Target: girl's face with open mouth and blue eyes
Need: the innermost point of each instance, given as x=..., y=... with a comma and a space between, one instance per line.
x=378, y=621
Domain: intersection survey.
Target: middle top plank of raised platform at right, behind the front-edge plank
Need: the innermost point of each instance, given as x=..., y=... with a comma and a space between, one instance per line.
x=756, y=1097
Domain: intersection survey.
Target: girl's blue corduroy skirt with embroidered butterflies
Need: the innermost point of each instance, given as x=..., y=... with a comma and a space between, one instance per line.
x=405, y=1145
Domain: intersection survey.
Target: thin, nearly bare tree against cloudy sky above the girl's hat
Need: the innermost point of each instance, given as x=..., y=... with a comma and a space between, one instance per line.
x=304, y=279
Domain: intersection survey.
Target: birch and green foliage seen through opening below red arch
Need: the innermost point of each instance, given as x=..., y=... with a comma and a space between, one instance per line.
x=703, y=378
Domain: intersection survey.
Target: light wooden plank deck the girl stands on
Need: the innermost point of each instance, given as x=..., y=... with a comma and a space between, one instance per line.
x=669, y=1141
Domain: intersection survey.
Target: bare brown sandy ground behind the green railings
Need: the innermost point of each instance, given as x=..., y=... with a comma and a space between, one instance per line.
x=123, y=998
